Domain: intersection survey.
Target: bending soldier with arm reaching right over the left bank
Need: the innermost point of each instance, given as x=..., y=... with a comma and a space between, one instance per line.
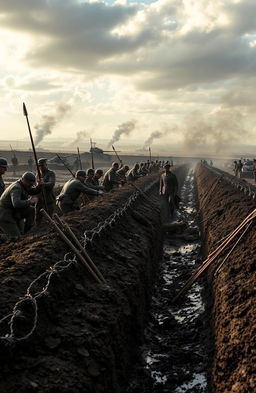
x=71, y=191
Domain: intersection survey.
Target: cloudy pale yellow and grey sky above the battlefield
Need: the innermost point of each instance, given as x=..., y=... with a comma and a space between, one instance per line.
x=170, y=72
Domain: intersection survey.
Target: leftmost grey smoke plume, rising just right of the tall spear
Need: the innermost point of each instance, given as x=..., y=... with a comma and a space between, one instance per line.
x=49, y=122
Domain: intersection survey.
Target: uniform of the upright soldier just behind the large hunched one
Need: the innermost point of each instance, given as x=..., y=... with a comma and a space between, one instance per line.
x=49, y=180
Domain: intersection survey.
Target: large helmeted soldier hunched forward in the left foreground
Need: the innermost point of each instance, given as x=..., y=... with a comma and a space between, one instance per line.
x=17, y=206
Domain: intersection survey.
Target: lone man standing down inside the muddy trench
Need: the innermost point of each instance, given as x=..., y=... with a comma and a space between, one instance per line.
x=169, y=187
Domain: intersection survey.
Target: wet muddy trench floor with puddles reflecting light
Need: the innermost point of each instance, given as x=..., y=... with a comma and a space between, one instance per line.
x=174, y=355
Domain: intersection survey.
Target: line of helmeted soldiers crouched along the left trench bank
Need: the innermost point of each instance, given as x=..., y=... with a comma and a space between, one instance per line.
x=21, y=201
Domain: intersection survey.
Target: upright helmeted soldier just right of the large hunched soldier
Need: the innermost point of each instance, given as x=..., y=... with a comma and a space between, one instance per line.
x=48, y=182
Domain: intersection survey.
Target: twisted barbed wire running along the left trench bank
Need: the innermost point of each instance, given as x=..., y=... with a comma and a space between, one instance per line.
x=29, y=300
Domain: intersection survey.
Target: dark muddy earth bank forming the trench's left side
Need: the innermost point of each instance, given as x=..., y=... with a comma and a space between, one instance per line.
x=71, y=334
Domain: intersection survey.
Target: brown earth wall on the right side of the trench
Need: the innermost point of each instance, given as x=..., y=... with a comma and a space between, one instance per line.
x=223, y=207
